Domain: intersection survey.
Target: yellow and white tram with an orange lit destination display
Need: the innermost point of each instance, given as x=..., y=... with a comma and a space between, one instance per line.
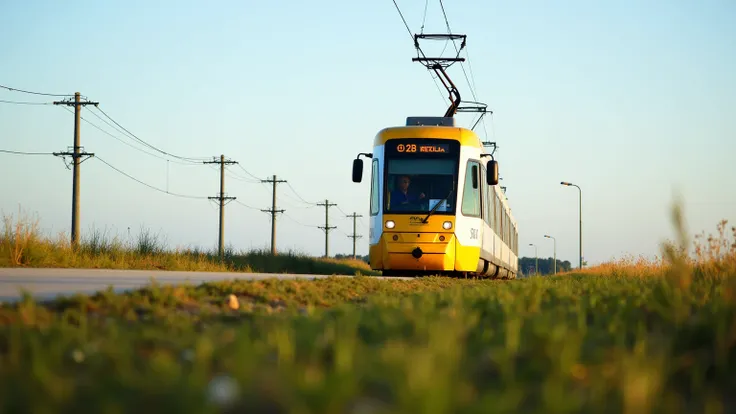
x=435, y=204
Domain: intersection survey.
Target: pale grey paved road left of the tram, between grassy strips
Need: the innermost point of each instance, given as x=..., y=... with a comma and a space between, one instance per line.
x=49, y=283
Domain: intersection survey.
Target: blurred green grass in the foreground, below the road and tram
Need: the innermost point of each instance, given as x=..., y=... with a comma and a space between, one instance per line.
x=632, y=337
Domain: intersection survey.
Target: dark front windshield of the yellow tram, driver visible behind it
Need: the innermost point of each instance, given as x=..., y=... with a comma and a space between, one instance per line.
x=416, y=185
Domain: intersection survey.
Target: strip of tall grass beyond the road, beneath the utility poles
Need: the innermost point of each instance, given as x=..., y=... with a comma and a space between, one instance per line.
x=21, y=245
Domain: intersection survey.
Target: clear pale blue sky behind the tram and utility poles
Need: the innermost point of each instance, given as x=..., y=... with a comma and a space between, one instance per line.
x=633, y=101
